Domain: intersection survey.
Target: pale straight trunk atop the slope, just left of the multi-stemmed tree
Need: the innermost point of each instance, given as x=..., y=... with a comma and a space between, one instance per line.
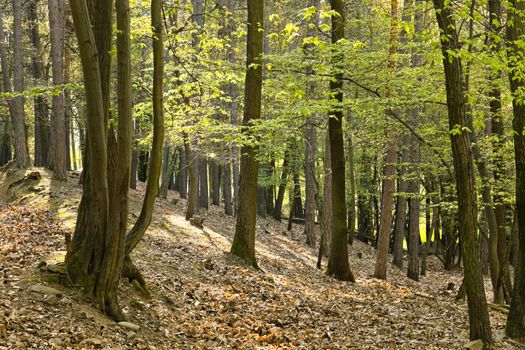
x=57, y=158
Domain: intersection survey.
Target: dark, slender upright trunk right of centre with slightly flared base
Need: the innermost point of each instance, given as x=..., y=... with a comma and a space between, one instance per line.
x=338, y=258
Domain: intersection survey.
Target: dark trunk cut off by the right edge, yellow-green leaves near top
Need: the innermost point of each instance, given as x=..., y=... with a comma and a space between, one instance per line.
x=516, y=54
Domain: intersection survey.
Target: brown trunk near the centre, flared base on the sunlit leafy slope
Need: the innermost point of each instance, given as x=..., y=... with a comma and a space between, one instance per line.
x=243, y=244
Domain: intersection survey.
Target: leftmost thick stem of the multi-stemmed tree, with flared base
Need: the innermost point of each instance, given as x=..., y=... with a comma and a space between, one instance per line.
x=85, y=262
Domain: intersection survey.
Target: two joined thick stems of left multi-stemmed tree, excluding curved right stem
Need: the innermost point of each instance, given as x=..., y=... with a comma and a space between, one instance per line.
x=97, y=253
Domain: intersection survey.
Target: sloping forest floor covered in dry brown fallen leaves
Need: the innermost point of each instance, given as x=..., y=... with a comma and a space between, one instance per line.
x=202, y=297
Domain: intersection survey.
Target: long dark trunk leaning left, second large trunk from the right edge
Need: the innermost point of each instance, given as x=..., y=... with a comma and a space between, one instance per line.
x=464, y=173
